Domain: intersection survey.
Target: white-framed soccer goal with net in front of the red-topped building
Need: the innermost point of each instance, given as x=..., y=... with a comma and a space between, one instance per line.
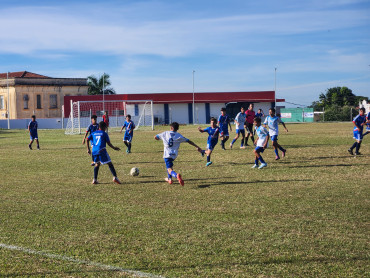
x=141, y=112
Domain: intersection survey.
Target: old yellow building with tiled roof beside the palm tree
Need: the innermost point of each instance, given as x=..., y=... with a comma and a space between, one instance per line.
x=35, y=94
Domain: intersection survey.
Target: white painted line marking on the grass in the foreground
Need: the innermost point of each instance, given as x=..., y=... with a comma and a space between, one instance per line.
x=70, y=259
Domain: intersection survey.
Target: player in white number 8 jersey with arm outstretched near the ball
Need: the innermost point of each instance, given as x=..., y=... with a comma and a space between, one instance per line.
x=171, y=141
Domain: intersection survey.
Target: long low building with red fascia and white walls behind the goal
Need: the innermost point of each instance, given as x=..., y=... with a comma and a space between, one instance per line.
x=170, y=107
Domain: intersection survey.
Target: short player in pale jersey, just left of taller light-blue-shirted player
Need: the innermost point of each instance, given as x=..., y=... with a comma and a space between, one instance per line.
x=261, y=143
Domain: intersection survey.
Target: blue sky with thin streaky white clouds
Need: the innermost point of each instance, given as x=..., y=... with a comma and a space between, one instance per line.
x=234, y=45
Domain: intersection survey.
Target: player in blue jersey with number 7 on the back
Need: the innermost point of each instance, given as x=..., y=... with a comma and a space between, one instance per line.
x=99, y=139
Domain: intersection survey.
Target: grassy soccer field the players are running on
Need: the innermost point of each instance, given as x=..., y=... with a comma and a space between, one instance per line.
x=306, y=215
